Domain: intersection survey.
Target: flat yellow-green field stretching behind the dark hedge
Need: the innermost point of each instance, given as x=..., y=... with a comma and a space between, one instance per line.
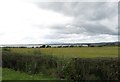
x=83, y=52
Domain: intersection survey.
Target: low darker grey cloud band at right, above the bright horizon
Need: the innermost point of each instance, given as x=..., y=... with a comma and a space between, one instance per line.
x=85, y=28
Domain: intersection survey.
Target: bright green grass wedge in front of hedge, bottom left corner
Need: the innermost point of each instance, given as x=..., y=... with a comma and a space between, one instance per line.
x=9, y=74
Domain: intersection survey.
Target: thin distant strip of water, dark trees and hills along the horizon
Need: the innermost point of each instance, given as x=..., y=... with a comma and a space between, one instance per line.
x=63, y=45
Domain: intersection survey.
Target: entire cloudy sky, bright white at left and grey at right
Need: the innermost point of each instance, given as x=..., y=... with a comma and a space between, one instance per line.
x=38, y=22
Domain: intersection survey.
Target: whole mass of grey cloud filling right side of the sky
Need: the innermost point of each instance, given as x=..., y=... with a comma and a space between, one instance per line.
x=87, y=17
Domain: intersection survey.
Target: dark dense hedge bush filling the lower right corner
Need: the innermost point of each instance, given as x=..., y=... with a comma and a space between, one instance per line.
x=92, y=69
